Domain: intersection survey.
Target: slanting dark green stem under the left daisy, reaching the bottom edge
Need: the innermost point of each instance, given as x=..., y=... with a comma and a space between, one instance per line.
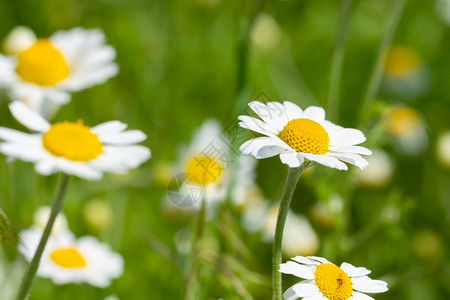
x=57, y=204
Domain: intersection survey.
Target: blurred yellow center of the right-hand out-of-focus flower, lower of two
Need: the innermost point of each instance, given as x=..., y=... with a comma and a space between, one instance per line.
x=402, y=120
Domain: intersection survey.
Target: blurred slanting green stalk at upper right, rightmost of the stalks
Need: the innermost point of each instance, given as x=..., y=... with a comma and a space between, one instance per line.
x=377, y=72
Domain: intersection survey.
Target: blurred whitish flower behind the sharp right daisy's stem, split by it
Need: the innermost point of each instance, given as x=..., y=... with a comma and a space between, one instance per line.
x=299, y=236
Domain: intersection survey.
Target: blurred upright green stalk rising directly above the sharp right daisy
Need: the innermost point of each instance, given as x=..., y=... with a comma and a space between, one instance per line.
x=338, y=58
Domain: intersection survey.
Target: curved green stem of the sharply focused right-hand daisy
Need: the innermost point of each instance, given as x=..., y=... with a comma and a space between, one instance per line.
x=288, y=191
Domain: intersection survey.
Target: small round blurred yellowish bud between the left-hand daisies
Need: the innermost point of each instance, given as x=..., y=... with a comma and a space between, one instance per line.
x=98, y=214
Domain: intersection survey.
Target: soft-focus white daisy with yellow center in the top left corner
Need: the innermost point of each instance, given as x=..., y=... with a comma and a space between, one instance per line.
x=45, y=71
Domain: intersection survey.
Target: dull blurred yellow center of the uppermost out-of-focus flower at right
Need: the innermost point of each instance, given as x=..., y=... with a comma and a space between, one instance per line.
x=401, y=61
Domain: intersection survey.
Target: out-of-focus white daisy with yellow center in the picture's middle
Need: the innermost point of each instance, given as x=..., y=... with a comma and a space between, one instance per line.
x=205, y=165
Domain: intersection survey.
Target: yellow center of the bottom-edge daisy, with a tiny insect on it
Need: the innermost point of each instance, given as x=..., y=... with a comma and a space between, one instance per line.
x=332, y=282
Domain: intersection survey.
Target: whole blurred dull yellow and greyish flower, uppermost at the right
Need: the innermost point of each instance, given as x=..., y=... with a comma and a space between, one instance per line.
x=405, y=75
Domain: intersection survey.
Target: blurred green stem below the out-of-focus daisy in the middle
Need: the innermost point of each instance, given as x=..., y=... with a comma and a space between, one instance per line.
x=191, y=275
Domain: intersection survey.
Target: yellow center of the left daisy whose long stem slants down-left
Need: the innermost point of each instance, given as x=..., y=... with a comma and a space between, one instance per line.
x=73, y=141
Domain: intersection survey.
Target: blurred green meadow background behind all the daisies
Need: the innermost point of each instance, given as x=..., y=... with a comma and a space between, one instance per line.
x=179, y=64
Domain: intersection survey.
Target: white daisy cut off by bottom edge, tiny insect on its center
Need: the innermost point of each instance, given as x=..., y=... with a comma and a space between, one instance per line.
x=325, y=280
